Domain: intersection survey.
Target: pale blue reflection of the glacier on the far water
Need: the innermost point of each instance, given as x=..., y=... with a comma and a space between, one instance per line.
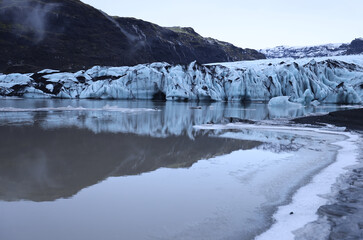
x=169, y=118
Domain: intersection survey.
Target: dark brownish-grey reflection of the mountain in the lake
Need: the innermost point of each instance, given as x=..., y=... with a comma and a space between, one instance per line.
x=44, y=165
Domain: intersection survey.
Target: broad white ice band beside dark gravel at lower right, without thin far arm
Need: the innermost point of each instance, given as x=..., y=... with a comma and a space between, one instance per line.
x=302, y=218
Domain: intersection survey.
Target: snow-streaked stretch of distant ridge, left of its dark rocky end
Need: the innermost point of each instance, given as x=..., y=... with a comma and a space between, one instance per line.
x=309, y=51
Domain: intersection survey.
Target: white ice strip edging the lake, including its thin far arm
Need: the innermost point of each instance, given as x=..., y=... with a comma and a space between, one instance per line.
x=307, y=199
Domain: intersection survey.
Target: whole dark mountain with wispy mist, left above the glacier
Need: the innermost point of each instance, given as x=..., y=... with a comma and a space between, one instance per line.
x=70, y=35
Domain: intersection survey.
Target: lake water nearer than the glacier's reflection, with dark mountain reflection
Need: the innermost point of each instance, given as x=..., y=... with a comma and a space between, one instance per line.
x=172, y=188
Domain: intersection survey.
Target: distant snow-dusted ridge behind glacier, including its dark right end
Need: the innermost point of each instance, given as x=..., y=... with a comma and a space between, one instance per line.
x=326, y=50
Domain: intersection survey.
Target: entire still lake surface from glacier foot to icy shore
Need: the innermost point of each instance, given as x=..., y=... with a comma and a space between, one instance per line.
x=141, y=170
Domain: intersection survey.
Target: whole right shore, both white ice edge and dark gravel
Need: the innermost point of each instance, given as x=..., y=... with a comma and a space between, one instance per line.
x=331, y=205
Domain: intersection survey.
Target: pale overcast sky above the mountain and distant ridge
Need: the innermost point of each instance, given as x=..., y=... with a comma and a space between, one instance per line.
x=251, y=23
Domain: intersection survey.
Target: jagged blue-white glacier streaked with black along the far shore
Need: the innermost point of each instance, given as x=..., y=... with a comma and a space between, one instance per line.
x=326, y=80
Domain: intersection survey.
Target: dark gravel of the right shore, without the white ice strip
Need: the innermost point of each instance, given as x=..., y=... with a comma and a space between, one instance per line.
x=342, y=215
